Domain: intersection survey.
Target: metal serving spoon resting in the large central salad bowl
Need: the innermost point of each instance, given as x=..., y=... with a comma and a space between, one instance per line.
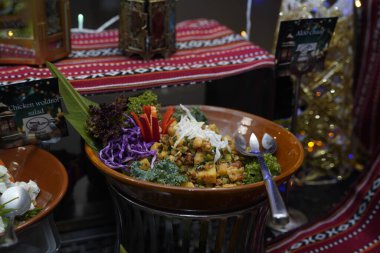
x=279, y=212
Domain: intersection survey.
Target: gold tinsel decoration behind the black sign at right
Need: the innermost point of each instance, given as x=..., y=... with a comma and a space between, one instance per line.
x=324, y=124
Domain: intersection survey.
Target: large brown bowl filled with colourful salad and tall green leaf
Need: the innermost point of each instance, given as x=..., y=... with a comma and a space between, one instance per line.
x=177, y=157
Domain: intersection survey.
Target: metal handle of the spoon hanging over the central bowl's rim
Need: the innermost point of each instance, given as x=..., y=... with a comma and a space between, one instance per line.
x=276, y=203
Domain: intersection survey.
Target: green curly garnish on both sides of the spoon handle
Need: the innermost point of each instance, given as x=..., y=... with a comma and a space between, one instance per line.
x=252, y=171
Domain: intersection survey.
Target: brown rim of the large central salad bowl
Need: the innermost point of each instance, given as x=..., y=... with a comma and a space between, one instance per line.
x=120, y=177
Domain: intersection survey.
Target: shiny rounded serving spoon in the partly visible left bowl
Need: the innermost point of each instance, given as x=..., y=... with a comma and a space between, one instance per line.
x=16, y=199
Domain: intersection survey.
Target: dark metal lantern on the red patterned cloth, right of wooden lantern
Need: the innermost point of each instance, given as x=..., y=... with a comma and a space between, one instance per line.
x=147, y=28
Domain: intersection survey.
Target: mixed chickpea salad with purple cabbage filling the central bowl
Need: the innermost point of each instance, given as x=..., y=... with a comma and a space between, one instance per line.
x=177, y=147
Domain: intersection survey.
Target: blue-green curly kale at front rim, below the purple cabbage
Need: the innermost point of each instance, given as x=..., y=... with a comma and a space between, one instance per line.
x=163, y=172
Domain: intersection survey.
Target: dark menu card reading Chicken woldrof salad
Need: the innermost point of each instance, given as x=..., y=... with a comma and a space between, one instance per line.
x=31, y=112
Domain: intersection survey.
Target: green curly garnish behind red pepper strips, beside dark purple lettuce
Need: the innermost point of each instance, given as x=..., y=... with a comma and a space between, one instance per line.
x=136, y=103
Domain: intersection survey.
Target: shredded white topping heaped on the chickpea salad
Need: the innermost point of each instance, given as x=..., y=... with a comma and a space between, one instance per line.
x=190, y=128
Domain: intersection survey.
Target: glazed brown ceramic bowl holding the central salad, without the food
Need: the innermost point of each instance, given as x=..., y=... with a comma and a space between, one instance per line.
x=290, y=155
